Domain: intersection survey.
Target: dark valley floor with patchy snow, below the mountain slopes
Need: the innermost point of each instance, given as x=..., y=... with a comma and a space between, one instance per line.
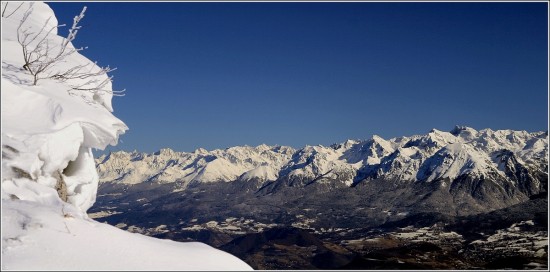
x=511, y=238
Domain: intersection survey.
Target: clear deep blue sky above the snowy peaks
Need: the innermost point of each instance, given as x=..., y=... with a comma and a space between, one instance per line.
x=216, y=75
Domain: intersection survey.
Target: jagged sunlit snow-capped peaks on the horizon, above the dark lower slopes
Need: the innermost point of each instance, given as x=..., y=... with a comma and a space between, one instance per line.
x=512, y=159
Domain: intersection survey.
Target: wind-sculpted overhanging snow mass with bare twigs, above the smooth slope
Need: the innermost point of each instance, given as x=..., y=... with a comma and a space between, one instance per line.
x=46, y=129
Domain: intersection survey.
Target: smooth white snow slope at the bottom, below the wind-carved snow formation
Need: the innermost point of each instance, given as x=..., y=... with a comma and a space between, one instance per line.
x=45, y=239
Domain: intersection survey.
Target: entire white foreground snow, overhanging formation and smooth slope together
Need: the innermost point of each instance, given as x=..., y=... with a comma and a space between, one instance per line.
x=49, y=178
